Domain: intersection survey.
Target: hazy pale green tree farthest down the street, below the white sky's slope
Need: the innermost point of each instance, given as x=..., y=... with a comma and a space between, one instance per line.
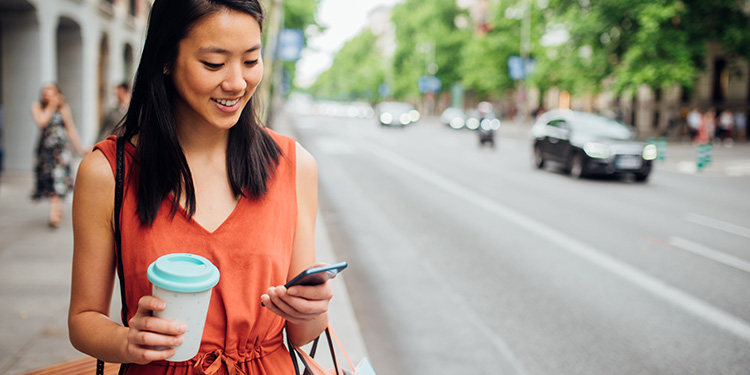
x=356, y=72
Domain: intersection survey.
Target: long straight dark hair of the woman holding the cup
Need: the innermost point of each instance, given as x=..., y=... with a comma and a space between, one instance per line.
x=252, y=155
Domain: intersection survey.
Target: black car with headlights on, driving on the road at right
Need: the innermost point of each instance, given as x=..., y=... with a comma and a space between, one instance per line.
x=589, y=144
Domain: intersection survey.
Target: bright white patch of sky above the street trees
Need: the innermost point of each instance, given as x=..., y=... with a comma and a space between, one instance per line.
x=344, y=20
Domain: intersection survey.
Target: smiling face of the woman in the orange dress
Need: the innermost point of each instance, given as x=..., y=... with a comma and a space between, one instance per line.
x=217, y=69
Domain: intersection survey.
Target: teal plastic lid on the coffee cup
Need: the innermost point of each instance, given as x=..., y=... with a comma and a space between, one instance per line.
x=182, y=272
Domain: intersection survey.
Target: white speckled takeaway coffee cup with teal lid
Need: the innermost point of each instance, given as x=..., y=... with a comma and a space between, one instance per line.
x=184, y=282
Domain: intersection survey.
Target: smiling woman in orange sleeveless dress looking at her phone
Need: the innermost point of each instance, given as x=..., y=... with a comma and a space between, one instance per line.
x=201, y=176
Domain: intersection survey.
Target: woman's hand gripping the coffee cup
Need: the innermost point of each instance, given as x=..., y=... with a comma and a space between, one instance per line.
x=147, y=331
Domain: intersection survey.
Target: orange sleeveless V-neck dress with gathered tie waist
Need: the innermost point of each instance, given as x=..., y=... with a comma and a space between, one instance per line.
x=252, y=249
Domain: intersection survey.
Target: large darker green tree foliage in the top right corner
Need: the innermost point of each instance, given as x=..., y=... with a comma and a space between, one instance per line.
x=657, y=43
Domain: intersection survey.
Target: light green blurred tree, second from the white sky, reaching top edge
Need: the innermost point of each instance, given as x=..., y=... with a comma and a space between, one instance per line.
x=429, y=27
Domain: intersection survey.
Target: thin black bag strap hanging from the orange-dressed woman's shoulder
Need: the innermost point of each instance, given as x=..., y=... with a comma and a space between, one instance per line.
x=119, y=188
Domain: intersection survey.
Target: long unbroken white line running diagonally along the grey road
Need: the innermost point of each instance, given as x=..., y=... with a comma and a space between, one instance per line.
x=656, y=287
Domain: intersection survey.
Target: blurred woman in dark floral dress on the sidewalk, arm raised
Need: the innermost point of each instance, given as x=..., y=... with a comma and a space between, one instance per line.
x=53, y=155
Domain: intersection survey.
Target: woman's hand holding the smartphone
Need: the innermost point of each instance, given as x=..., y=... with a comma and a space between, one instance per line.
x=300, y=303
